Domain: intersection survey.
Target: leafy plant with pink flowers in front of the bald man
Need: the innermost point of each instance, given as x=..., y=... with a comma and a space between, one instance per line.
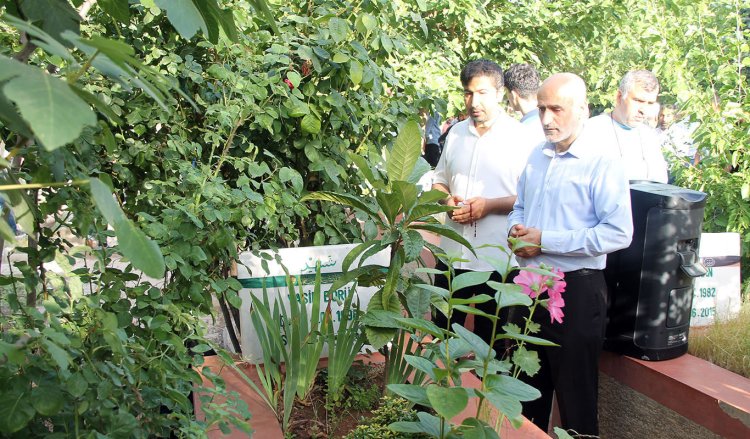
x=443, y=391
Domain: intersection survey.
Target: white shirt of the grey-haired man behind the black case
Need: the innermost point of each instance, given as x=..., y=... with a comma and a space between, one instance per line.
x=639, y=148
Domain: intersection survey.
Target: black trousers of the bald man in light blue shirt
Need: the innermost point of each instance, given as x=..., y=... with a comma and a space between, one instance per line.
x=572, y=369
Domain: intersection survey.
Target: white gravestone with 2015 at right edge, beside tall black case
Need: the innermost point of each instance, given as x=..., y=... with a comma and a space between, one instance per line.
x=717, y=294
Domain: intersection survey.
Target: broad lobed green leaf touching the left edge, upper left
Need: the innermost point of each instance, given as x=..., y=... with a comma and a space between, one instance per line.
x=53, y=111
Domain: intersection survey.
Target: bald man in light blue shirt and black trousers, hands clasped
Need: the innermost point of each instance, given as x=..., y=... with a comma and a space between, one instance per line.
x=574, y=204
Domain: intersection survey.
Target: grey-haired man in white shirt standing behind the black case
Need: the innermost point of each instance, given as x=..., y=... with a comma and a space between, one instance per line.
x=623, y=132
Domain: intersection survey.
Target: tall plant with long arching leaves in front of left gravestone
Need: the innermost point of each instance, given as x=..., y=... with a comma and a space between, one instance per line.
x=399, y=211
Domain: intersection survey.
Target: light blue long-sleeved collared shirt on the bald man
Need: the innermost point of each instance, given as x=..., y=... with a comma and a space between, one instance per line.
x=580, y=200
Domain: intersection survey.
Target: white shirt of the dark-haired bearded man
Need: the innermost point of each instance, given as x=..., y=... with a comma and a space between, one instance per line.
x=482, y=166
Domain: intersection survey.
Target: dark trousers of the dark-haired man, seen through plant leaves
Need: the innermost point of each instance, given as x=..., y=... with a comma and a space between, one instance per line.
x=482, y=325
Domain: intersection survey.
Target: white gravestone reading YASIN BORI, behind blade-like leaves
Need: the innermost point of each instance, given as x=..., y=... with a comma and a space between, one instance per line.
x=300, y=262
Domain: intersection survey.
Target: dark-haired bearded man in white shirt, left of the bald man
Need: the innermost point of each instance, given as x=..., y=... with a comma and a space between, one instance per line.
x=482, y=159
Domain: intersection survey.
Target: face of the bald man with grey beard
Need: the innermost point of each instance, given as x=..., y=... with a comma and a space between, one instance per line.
x=561, y=117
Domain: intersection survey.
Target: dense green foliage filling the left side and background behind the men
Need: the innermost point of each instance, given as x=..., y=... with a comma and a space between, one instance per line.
x=209, y=120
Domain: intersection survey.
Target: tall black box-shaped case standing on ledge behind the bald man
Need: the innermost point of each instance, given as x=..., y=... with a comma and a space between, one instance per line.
x=651, y=282
